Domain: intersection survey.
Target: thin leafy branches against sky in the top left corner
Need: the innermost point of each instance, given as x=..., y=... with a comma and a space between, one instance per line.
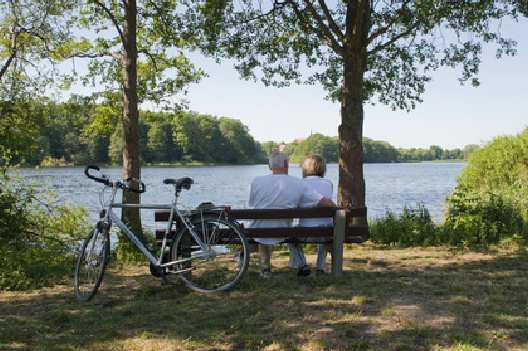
x=34, y=35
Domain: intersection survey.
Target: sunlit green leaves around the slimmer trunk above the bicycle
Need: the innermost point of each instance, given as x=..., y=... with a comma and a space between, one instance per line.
x=163, y=70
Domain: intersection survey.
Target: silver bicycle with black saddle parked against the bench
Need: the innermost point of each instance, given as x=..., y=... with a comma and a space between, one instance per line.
x=206, y=251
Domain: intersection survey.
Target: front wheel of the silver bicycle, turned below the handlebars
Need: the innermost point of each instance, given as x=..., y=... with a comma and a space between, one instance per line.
x=92, y=262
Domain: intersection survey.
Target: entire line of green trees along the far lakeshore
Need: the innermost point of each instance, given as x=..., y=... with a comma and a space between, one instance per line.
x=66, y=138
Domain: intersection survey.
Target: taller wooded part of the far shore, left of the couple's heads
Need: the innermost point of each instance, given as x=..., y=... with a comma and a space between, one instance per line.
x=182, y=137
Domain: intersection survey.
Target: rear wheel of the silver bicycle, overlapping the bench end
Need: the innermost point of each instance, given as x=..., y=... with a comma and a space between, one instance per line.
x=220, y=263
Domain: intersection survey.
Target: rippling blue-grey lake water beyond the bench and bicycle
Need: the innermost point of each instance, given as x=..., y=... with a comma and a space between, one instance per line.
x=389, y=186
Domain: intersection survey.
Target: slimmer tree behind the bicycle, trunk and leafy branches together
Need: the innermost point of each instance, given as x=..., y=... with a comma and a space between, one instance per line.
x=129, y=57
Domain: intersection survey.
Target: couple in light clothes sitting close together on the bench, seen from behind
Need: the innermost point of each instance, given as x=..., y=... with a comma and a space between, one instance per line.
x=279, y=190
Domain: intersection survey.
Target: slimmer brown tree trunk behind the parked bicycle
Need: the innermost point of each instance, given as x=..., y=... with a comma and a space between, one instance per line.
x=131, y=167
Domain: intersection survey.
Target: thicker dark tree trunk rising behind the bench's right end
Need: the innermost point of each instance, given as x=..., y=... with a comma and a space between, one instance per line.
x=351, y=191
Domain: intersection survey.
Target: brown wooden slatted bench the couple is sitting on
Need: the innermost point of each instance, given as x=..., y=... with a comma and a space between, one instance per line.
x=350, y=226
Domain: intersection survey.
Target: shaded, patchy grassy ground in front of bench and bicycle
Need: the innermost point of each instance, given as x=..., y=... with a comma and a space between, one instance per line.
x=388, y=299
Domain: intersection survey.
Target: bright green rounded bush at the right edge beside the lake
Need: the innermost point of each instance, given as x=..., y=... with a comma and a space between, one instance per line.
x=489, y=203
